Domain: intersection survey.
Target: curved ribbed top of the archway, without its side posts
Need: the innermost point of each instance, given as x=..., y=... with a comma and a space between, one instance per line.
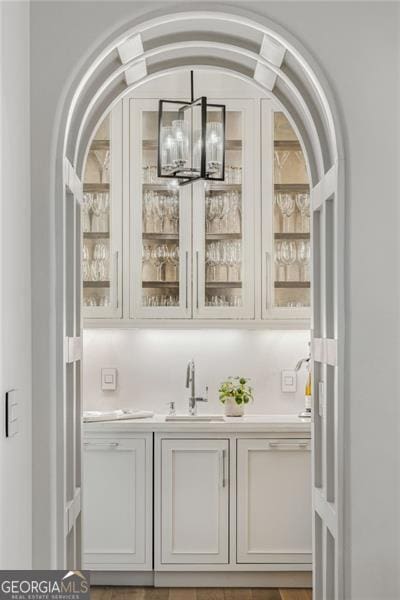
x=256, y=52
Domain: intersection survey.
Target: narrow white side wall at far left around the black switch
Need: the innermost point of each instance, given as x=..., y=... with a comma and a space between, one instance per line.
x=15, y=307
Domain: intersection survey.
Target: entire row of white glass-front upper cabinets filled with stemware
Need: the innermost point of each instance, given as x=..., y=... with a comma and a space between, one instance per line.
x=210, y=250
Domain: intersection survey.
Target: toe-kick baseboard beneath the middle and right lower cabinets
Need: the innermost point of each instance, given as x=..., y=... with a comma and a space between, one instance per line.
x=288, y=579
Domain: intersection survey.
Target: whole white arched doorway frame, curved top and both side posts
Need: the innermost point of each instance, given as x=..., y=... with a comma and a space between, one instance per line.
x=267, y=56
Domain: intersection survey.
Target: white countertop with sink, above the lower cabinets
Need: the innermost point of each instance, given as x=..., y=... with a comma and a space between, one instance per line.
x=249, y=423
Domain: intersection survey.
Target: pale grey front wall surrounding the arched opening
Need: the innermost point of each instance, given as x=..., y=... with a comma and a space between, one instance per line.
x=357, y=47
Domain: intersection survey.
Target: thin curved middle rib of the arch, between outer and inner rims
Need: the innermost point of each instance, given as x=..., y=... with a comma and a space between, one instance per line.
x=212, y=46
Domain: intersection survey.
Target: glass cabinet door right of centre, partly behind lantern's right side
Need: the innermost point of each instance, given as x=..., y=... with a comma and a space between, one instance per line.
x=223, y=224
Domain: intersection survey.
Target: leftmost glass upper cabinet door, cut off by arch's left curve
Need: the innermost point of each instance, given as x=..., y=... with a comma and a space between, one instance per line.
x=101, y=221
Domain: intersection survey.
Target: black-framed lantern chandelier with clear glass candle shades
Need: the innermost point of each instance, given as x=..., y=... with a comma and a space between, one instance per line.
x=191, y=139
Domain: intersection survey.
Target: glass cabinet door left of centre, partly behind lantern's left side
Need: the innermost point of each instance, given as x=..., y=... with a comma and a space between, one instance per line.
x=160, y=222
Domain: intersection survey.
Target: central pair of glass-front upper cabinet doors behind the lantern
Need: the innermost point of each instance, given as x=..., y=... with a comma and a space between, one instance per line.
x=192, y=246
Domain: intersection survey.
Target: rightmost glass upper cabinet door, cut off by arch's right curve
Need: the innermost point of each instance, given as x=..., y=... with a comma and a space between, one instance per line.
x=286, y=228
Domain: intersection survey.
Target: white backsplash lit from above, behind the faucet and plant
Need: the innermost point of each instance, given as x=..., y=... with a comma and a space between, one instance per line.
x=152, y=367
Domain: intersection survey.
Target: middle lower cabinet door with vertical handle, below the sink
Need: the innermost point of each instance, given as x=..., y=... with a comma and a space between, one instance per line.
x=194, y=501
